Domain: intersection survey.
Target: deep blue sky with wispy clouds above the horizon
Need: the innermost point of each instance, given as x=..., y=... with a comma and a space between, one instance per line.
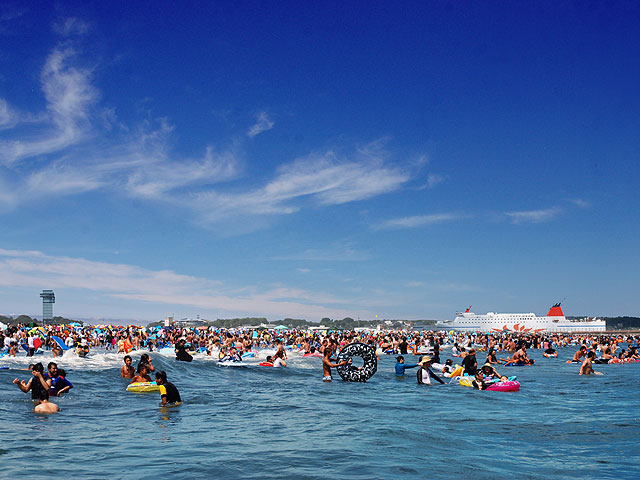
x=280, y=159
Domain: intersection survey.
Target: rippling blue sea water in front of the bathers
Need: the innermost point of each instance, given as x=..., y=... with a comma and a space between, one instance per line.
x=274, y=423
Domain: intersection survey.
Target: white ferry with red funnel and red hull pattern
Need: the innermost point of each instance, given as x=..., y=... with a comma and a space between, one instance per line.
x=554, y=321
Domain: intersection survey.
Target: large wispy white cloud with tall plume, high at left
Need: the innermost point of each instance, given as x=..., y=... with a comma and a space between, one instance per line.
x=74, y=157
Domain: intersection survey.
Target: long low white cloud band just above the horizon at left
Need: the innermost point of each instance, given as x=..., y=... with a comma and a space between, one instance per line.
x=33, y=269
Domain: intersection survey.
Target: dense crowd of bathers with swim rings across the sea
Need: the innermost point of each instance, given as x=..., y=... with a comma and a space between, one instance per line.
x=231, y=345
